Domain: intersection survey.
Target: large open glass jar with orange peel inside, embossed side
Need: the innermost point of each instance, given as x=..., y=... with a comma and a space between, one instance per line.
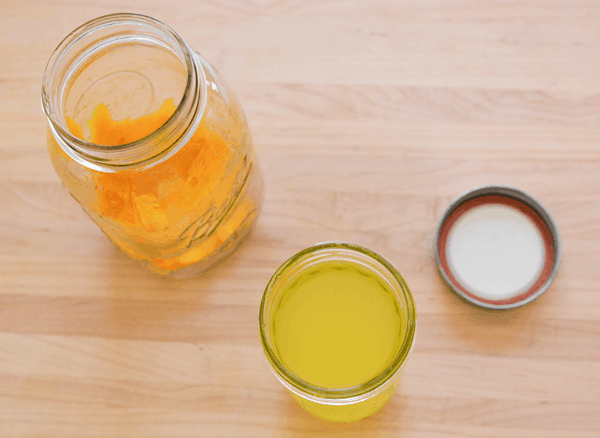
x=149, y=139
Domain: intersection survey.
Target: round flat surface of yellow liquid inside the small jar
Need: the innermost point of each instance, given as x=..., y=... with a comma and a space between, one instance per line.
x=338, y=325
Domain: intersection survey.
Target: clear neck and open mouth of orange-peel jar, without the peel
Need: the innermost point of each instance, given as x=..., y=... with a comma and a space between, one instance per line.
x=131, y=63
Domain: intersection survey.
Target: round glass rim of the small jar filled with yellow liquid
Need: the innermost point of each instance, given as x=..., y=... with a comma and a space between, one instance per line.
x=318, y=253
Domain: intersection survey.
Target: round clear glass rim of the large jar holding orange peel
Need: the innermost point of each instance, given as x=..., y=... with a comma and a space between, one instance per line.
x=195, y=89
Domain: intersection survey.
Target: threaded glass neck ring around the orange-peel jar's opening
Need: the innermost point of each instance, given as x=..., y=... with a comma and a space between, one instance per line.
x=85, y=43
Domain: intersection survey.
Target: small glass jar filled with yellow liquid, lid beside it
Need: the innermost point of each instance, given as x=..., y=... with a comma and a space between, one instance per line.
x=336, y=402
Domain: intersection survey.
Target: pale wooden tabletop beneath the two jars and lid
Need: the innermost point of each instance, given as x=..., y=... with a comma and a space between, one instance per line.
x=368, y=119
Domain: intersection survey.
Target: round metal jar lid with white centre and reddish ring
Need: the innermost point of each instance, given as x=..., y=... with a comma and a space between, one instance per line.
x=497, y=247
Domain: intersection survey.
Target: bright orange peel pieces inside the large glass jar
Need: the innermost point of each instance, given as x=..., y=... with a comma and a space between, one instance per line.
x=150, y=206
